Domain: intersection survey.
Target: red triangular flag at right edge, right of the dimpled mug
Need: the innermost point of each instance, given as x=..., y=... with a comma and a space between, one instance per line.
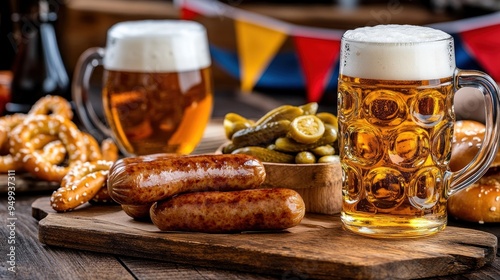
x=484, y=43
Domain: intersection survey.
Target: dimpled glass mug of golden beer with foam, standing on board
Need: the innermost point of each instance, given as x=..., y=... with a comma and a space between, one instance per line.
x=395, y=110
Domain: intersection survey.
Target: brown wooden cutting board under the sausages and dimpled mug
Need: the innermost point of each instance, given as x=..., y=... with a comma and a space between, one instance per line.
x=317, y=248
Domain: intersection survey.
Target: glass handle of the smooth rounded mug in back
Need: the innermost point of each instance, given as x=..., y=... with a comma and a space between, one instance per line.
x=86, y=64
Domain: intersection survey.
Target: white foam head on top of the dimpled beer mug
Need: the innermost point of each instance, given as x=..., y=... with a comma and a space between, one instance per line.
x=397, y=52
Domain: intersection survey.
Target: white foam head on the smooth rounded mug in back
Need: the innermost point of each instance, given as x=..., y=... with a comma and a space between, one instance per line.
x=157, y=46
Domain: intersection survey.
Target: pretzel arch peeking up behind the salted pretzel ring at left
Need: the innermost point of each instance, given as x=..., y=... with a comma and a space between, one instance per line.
x=52, y=105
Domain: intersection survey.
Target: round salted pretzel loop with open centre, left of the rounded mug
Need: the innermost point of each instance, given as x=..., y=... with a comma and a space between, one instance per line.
x=64, y=129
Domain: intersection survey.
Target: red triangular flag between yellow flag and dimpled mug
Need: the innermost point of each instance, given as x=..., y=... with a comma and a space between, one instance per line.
x=317, y=57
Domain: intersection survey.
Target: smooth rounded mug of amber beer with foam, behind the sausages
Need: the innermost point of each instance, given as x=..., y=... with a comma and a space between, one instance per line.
x=157, y=86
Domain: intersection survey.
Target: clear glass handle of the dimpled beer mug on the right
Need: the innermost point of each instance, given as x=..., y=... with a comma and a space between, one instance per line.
x=486, y=154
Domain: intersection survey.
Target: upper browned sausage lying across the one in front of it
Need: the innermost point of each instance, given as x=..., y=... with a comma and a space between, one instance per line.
x=145, y=181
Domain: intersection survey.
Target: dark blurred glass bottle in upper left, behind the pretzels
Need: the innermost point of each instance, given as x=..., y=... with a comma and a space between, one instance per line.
x=38, y=69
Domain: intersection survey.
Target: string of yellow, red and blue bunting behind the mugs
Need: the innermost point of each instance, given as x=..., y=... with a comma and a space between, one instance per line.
x=313, y=65
